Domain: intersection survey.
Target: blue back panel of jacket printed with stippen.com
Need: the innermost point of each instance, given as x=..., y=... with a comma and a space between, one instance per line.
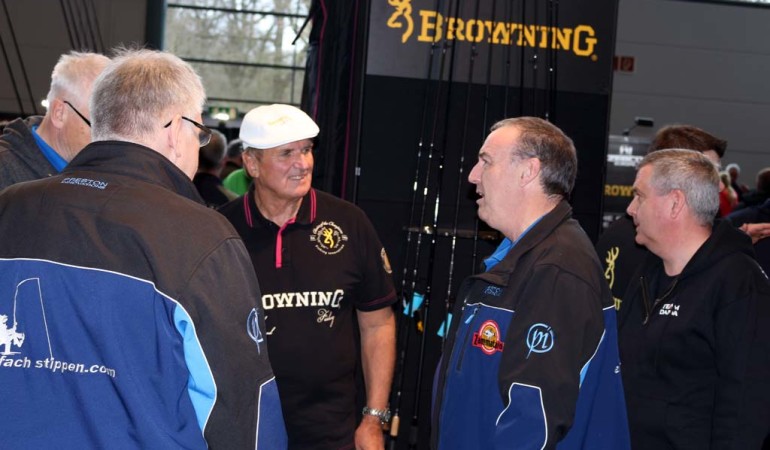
x=93, y=350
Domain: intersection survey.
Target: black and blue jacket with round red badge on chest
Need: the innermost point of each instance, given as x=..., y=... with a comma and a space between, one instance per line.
x=532, y=360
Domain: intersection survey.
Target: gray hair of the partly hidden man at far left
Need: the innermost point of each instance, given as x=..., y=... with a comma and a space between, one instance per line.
x=73, y=75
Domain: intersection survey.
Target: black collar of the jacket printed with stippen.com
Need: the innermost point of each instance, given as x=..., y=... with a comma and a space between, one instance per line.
x=134, y=161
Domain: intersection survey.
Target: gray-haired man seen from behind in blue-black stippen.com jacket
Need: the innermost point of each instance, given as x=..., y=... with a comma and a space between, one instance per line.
x=134, y=307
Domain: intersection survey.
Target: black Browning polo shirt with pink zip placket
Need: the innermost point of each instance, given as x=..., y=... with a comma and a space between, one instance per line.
x=314, y=272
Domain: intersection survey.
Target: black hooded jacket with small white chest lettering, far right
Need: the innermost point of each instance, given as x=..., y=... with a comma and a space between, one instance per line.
x=696, y=369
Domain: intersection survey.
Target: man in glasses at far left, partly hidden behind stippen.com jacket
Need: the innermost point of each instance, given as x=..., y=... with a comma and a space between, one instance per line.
x=38, y=147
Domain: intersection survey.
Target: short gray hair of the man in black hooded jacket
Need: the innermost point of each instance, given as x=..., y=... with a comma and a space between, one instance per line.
x=690, y=172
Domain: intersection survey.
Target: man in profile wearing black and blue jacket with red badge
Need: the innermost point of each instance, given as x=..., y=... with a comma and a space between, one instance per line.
x=531, y=359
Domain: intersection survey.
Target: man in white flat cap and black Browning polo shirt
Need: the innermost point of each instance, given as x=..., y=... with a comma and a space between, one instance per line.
x=318, y=260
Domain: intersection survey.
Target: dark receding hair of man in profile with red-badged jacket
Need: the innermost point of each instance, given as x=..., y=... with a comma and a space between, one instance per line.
x=543, y=140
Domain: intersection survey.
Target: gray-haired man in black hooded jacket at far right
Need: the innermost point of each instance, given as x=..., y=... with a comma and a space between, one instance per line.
x=695, y=324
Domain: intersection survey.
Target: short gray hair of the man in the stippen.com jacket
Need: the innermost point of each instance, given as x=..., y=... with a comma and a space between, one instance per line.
x=141, y=91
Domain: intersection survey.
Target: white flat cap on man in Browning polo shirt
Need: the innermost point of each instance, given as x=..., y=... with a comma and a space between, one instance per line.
x=273, y=125
